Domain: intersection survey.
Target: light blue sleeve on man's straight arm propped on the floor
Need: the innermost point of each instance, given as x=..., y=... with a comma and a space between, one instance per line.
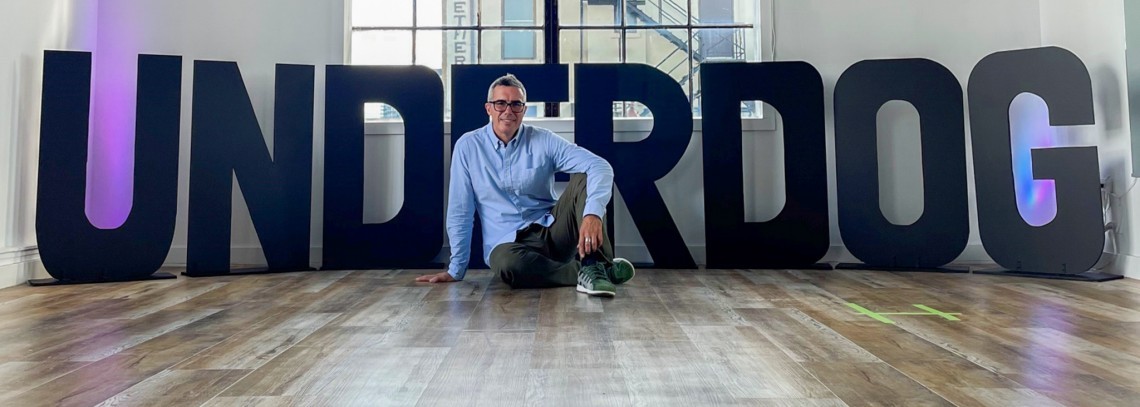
x=461, y=213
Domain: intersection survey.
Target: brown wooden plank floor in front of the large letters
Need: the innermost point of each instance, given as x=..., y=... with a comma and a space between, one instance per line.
x=686, y=338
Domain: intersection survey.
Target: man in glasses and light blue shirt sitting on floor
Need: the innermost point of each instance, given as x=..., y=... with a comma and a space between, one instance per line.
x=506, y=173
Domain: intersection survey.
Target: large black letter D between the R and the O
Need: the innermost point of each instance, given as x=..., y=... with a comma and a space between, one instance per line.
x=799, y=237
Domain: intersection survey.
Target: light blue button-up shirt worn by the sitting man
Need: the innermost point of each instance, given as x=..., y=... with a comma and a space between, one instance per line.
x=512, y=186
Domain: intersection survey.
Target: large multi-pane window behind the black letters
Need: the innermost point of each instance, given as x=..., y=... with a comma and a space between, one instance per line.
x=673, y=36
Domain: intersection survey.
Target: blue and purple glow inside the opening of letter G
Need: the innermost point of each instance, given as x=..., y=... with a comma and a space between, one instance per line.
x=1029, y=125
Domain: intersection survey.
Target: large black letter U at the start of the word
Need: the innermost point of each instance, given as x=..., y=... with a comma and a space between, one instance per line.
x=72, y=250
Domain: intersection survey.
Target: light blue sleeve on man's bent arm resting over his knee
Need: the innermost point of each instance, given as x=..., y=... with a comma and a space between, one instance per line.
x=573, y=159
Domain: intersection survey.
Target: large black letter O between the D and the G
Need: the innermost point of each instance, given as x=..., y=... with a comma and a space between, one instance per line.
x=940, y=235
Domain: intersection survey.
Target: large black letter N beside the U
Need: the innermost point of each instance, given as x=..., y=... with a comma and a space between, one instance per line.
x=227, y=141
